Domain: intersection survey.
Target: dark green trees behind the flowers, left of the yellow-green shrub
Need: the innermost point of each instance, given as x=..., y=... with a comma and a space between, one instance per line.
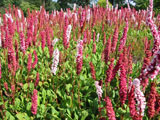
x=35, y=4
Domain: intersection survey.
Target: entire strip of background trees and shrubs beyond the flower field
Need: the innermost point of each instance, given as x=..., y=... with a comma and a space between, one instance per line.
x=50, y=5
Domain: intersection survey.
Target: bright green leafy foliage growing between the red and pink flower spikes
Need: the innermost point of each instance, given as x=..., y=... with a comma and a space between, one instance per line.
x=58, y=95
